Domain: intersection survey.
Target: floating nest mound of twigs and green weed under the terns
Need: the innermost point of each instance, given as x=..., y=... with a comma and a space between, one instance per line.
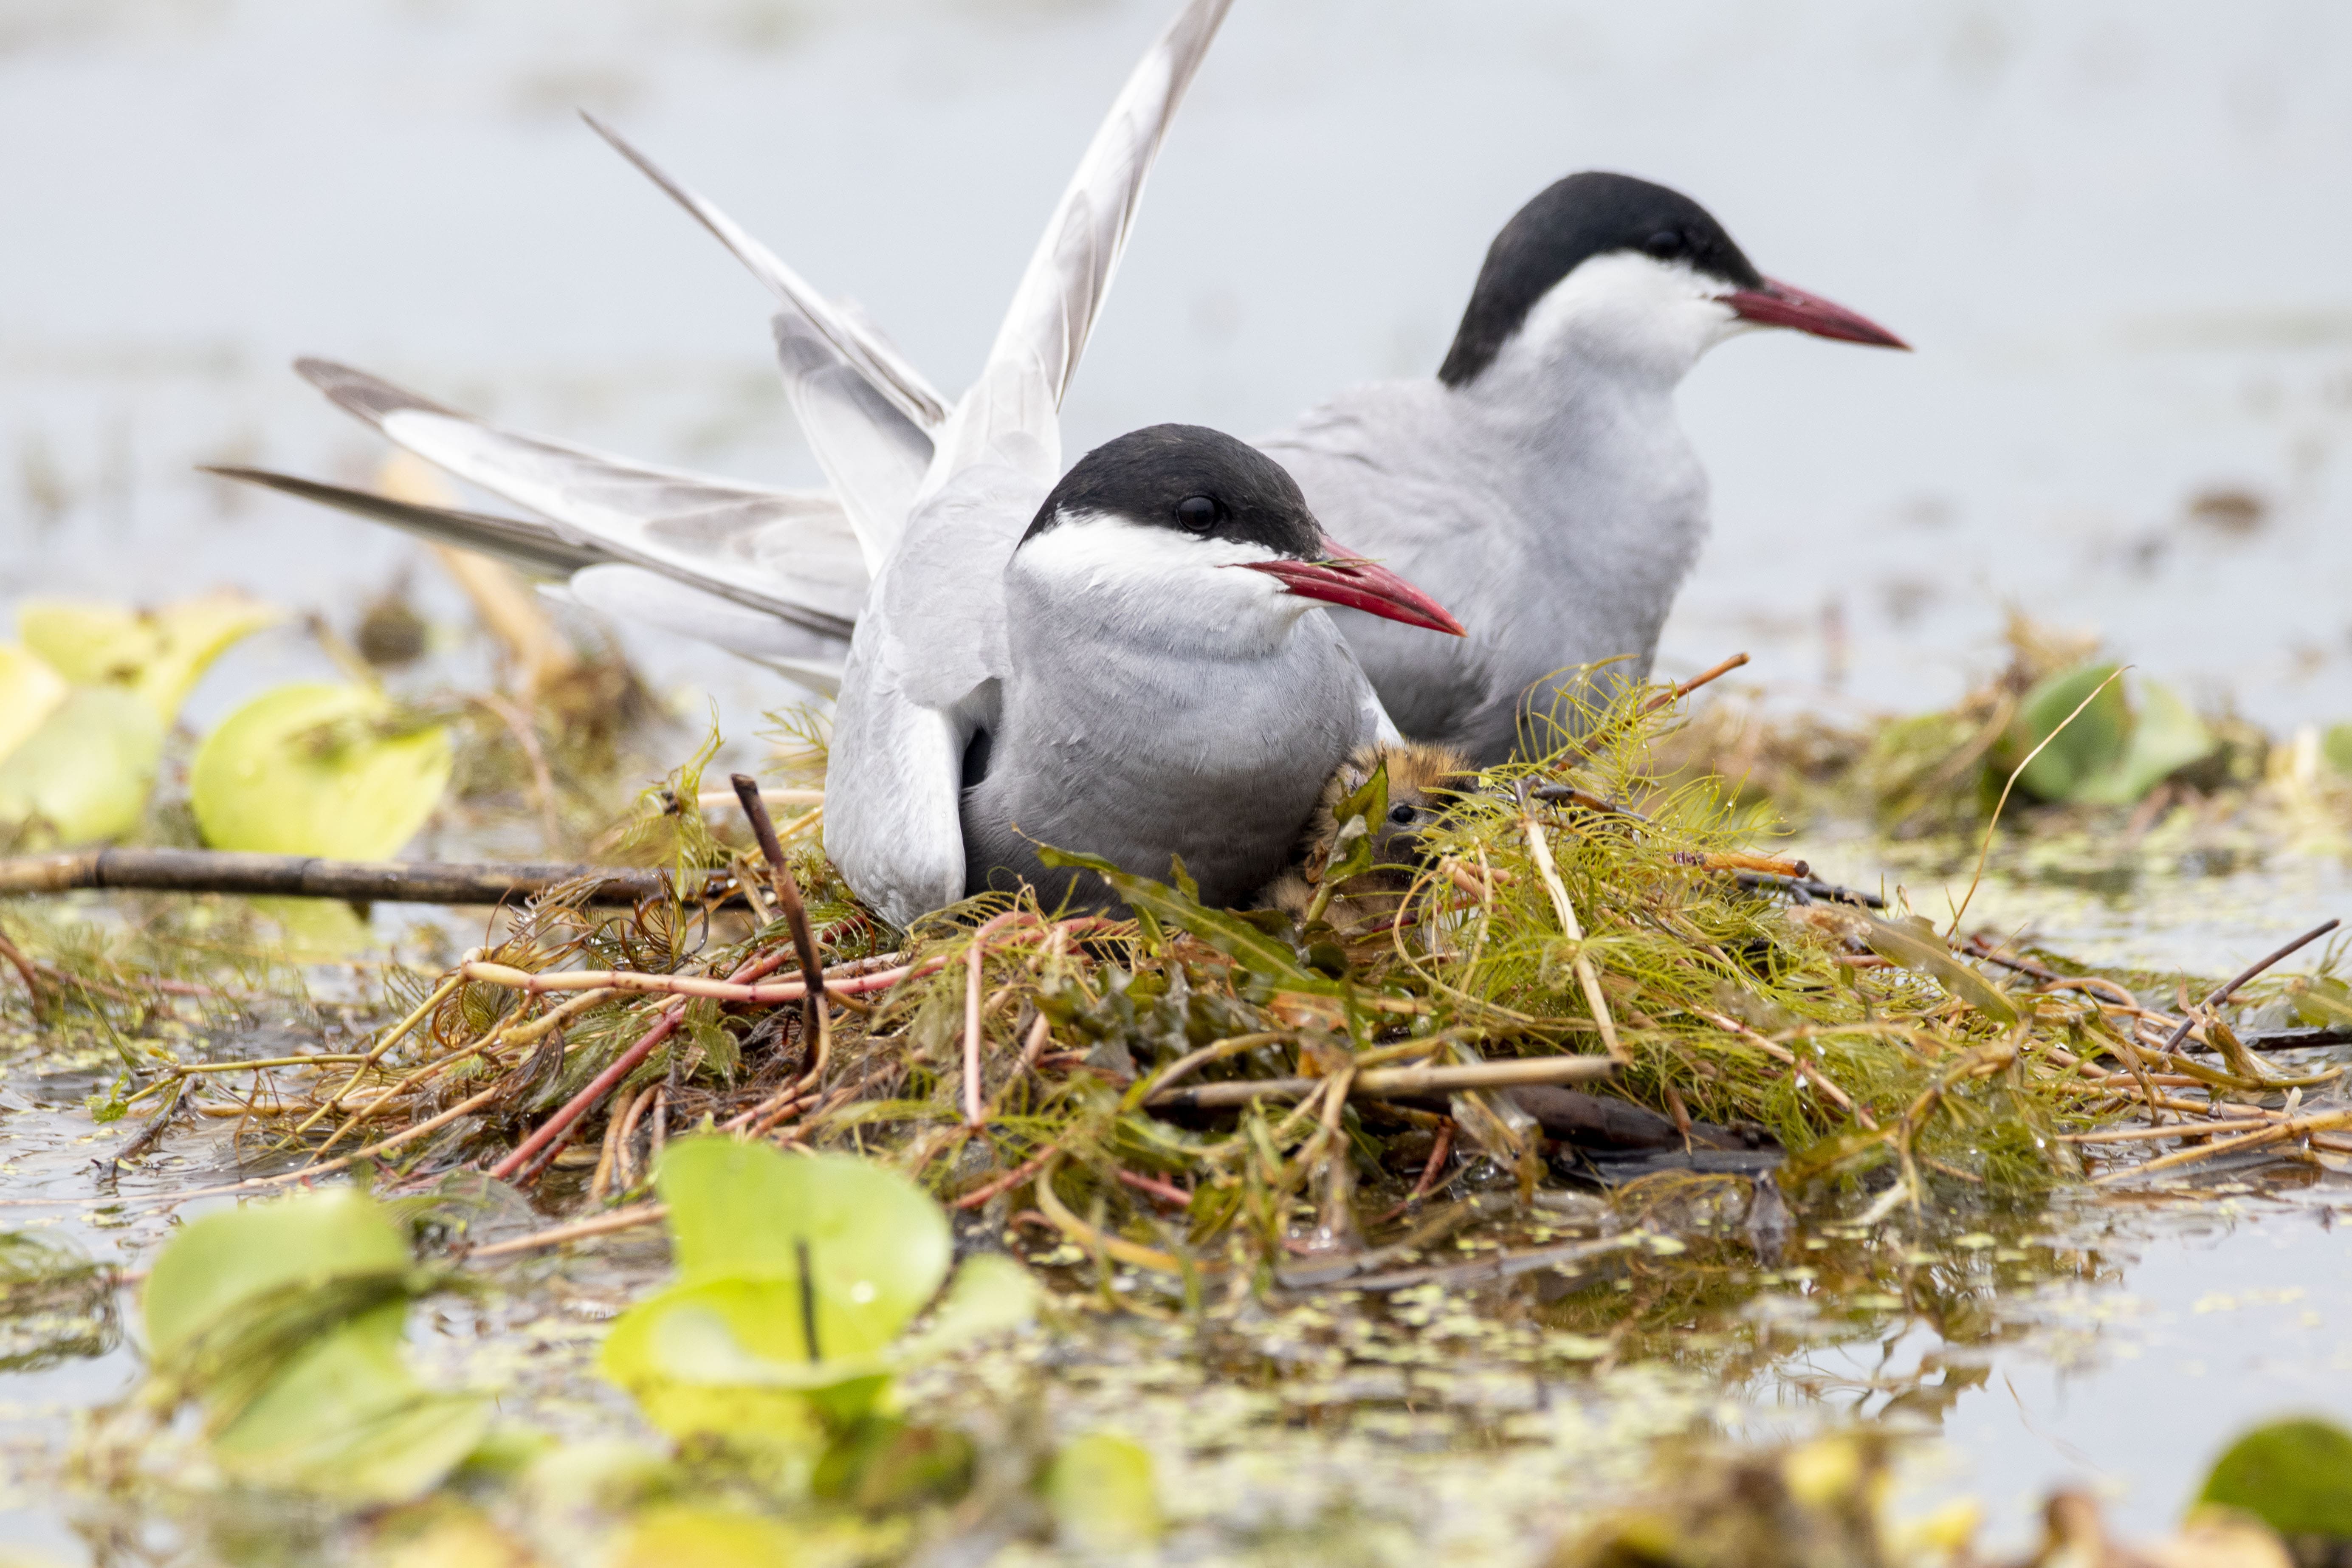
x=1586, y=977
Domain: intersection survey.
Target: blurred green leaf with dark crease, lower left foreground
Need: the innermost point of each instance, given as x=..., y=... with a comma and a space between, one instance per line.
x=276, y=1318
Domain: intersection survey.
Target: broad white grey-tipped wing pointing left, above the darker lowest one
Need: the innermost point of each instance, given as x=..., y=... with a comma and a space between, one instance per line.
x=787, y=554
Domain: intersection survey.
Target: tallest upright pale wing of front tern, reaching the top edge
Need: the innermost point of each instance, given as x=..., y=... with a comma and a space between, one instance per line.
x=1013, y=413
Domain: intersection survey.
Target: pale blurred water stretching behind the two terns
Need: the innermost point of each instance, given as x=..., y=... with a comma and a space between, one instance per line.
x=2116, y=236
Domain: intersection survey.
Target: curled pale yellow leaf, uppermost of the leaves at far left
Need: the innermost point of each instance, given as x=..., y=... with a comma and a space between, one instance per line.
x=154, y=655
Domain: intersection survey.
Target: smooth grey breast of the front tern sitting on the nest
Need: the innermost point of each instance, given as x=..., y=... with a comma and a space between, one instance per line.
x=1147, y=753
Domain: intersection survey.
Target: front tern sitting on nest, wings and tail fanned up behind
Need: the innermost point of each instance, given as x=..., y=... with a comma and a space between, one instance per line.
x=1128, y=659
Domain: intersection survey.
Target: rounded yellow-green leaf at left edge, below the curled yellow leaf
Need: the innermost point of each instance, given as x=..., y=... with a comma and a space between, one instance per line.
x=86, y=770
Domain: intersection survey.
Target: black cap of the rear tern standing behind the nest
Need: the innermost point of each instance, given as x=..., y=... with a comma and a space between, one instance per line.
x=1582, y=217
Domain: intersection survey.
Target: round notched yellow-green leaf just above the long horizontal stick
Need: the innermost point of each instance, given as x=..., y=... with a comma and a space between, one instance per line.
x=316, y=770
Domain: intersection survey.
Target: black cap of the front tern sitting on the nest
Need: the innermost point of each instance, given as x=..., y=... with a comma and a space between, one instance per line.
x=1191, y=481
